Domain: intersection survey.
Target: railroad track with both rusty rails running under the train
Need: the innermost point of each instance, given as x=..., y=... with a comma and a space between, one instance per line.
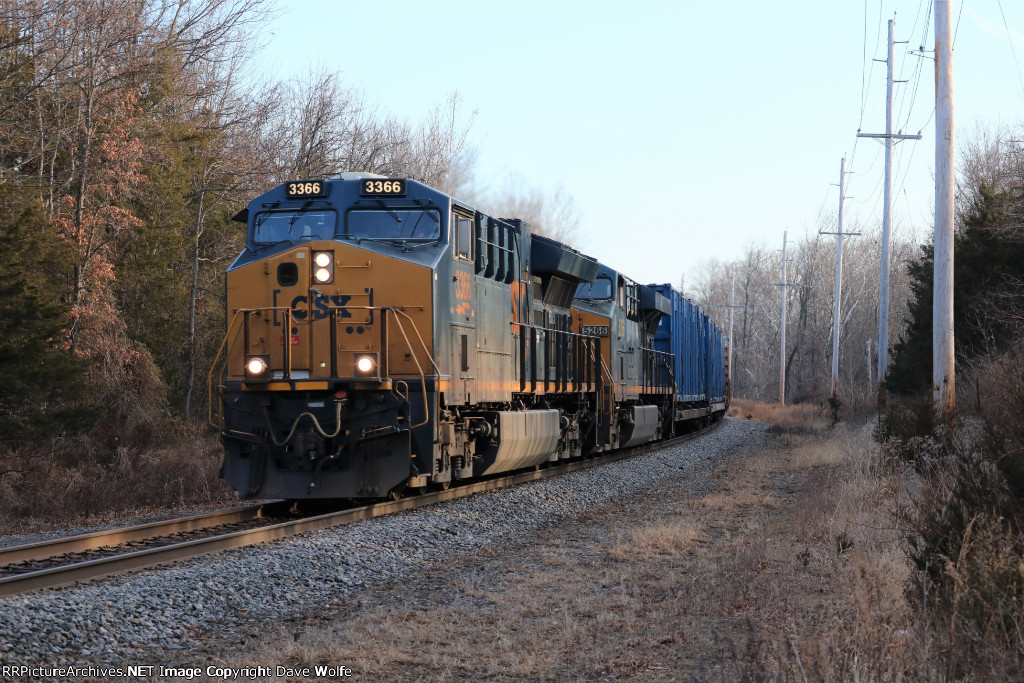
x=65, y=562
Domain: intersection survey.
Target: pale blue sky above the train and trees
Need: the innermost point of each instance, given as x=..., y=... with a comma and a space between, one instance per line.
x=685, y=131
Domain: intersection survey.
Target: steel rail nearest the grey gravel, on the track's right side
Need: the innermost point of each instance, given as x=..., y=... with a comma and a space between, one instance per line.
x=107, y=567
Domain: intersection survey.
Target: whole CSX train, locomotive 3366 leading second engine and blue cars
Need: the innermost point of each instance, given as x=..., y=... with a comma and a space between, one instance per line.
x=383, y=336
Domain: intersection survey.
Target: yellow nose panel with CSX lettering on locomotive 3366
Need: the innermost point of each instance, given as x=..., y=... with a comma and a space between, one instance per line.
x=324, y=312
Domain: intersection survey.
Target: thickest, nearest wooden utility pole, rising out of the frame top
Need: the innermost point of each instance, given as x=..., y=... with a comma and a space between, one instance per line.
x=944, y=377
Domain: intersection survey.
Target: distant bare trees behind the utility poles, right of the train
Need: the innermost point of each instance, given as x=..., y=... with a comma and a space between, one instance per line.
x=812, y=272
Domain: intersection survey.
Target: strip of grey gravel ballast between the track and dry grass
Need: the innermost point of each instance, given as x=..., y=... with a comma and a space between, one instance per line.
x=159, y=616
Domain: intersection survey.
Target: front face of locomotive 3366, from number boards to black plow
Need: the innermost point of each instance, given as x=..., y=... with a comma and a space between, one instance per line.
x=329, y=334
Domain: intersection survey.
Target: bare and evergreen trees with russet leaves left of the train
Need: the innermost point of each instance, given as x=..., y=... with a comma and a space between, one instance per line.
x=131, y=133
